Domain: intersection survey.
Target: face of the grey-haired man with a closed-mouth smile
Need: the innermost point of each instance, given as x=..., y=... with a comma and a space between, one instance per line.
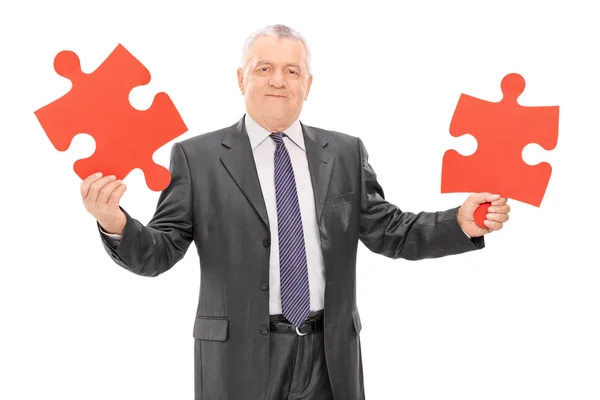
x=275, y=81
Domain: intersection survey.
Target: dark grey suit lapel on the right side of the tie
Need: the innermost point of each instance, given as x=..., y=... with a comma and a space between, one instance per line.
x=320, y=164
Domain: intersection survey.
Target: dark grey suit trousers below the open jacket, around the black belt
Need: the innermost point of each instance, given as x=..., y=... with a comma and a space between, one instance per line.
x=297, y=366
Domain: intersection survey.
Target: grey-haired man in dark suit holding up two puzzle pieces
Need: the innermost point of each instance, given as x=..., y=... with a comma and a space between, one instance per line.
x=276, y=209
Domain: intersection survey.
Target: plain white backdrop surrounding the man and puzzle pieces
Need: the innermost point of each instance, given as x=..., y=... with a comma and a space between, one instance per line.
x=518, y=320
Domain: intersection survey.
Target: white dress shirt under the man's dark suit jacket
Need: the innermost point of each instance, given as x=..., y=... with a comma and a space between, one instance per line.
x=263, y=149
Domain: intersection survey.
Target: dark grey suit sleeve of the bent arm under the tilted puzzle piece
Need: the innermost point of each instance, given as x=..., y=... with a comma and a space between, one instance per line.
x=153, y=249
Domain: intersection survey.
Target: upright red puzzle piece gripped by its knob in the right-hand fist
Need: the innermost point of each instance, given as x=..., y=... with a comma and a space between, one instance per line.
x=502, y=130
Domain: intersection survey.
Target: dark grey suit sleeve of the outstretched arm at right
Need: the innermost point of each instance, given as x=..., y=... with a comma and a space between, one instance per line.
x=387, y=230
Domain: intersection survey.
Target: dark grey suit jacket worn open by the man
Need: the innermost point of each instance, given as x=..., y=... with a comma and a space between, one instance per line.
x=215, y=199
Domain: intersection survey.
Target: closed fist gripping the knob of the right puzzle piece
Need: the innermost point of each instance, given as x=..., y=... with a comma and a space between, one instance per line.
x=495, y=219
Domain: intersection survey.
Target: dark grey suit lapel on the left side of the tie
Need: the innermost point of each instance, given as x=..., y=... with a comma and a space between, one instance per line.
x=240, y=164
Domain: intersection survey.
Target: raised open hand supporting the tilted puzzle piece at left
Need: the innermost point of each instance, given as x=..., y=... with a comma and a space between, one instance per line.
x=101, y=196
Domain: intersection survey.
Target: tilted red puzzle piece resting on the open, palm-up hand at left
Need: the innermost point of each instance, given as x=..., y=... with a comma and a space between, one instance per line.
x=98, y=104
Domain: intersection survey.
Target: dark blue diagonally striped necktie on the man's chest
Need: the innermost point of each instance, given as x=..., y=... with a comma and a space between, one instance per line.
x=295, y=294
